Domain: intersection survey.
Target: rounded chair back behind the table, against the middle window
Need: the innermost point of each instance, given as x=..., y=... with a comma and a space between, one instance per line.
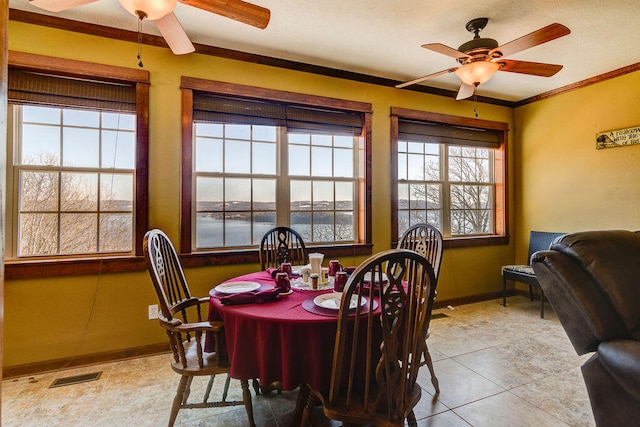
x=282, y=244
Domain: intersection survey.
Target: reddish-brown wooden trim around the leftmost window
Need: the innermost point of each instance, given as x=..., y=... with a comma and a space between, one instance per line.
x=62, y=266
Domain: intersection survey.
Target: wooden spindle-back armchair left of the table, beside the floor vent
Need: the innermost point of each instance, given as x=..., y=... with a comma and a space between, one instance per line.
x=186, y=337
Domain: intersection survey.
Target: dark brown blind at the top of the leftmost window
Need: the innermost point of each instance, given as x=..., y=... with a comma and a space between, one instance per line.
x=26, y=87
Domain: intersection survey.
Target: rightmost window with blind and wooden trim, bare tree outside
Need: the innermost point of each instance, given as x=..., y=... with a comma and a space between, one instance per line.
x=449, y=173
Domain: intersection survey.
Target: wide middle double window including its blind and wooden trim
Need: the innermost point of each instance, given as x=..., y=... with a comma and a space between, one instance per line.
x=257, y=163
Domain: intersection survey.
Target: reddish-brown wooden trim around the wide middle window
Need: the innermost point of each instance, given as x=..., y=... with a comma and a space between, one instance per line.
x=188, y=85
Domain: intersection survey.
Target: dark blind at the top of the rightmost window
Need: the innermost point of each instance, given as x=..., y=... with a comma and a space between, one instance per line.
x=439, y=133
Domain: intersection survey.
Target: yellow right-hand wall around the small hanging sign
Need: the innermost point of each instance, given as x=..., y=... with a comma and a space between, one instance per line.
x=562, y=182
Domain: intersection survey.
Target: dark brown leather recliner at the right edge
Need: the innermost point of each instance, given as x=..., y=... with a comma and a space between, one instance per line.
x=592, y=280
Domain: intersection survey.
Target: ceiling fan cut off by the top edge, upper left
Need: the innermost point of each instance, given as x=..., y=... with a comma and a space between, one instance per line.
x=161, y=13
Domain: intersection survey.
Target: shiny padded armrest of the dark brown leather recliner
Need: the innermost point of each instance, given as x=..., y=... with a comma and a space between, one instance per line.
x=622, y=360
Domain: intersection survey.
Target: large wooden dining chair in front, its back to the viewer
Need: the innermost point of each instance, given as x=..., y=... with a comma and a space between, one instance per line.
x=377, y=354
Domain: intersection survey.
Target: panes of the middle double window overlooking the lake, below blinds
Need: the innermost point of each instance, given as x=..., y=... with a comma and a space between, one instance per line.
x=248, y=178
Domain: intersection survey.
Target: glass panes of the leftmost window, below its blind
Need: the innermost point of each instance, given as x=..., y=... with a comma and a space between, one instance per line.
x=74, y=181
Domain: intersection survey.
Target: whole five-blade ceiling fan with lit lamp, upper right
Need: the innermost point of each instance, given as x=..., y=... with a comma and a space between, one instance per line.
x=480, y=57
